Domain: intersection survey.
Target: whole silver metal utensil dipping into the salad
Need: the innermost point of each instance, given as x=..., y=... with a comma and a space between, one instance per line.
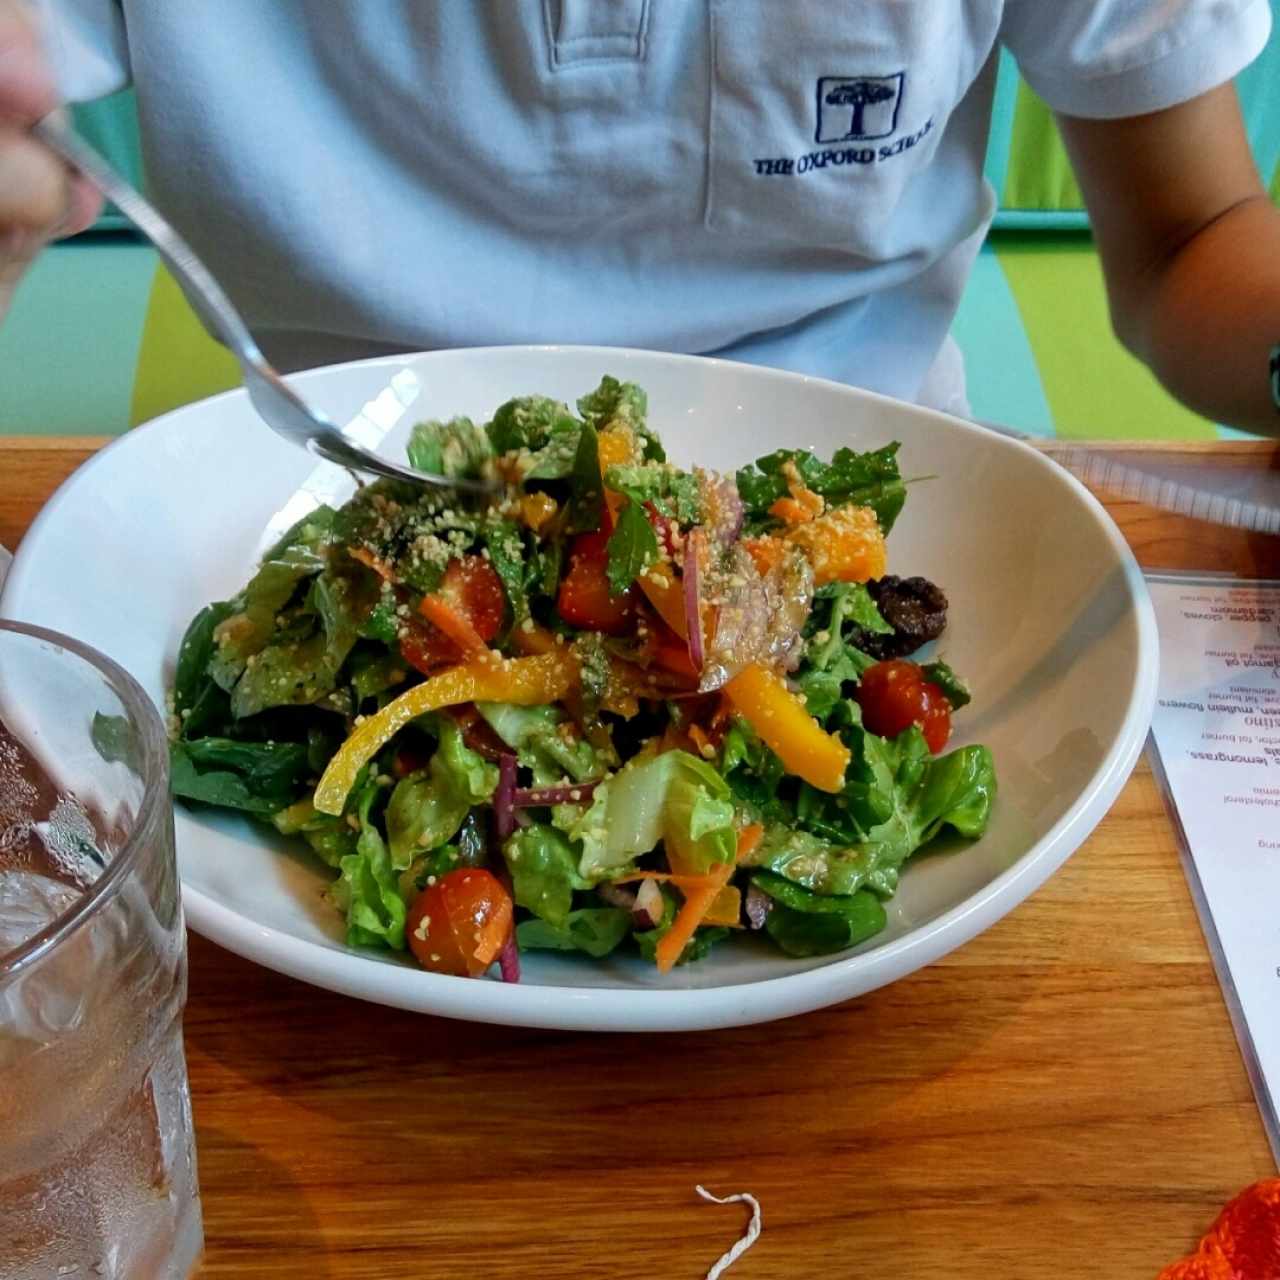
x=278, y=405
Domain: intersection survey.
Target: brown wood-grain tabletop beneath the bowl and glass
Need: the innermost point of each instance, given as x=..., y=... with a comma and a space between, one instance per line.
x=1062, y=1098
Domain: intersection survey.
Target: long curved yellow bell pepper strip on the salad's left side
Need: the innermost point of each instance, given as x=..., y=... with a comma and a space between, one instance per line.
x=524, y=682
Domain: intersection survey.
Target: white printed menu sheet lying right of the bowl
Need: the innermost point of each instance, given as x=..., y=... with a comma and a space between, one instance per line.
x=1217, y=737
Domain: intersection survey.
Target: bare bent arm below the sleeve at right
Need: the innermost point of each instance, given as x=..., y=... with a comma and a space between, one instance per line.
x=1191, y=250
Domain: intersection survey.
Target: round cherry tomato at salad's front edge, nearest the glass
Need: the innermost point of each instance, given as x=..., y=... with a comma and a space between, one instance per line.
x=460, y=924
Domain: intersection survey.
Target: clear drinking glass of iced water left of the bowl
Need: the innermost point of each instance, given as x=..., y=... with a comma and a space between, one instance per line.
x=98, y=1169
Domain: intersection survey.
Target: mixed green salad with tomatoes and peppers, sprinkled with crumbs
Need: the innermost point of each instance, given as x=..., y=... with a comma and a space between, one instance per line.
x=614, y=705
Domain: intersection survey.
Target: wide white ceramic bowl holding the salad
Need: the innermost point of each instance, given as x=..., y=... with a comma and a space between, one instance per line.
x=1050, y=621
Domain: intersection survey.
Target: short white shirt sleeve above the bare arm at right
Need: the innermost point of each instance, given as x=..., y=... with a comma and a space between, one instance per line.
x=1122, y=58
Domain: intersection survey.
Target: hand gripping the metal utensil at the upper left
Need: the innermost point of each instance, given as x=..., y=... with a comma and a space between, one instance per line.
x=39, y=199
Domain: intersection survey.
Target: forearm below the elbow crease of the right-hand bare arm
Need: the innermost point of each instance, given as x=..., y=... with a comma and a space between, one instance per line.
x=1208, y=318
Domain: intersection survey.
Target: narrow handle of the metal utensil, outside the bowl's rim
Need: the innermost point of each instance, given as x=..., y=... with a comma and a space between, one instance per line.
x=203, y=291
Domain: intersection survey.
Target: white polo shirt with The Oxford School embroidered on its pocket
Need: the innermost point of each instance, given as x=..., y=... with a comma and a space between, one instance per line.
x=789, y=182
